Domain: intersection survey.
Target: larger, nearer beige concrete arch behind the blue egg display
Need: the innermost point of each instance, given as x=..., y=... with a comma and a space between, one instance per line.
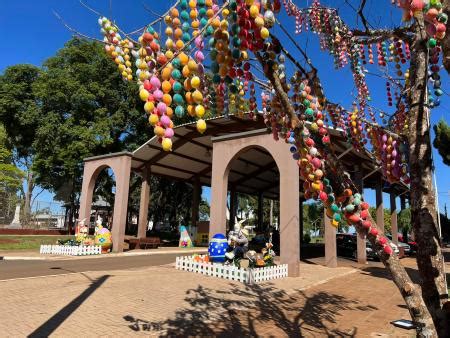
x=225, y=150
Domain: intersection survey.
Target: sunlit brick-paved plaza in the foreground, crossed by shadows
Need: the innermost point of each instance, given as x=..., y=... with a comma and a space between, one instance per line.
x=164, y=301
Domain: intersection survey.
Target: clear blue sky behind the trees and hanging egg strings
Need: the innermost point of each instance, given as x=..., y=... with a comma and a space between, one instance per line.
x=31, y=33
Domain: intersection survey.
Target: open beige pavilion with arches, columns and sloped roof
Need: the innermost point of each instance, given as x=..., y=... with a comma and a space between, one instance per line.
x=233, y=155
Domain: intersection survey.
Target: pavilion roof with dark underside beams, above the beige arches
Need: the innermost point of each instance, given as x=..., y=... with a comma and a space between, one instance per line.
x=253, y=172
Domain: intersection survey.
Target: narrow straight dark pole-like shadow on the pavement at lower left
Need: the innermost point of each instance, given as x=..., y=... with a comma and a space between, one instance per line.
x=58, y=318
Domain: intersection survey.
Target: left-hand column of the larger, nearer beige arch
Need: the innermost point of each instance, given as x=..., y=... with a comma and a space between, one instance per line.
x=219, y=183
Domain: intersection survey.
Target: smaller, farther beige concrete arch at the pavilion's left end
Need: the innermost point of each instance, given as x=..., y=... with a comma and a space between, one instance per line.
x=121, y=167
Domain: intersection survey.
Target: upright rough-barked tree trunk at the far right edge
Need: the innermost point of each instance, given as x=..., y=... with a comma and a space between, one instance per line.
x=423, y=209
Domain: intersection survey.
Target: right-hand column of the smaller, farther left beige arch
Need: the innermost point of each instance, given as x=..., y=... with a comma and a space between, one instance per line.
x=122, y=172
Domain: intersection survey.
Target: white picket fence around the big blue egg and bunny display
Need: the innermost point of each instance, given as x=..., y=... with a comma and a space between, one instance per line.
x=231, y=272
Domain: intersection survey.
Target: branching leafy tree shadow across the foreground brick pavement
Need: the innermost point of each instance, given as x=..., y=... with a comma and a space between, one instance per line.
x=252, y=311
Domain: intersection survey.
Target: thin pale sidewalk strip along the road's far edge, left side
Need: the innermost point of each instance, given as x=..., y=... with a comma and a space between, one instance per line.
x=35, y=255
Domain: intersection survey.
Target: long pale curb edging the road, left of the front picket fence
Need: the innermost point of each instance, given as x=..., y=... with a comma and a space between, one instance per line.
x=110, y=255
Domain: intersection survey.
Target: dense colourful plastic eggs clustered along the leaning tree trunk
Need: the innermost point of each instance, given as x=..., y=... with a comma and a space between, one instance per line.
x=309, y=149
